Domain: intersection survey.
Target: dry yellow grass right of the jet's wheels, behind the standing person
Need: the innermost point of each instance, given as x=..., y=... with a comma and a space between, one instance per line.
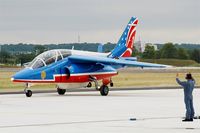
x=149, y=79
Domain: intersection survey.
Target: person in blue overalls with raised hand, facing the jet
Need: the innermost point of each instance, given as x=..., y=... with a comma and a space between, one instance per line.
x=188, y=98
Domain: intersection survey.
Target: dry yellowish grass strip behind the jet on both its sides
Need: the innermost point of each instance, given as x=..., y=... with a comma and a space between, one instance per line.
x=124, y=79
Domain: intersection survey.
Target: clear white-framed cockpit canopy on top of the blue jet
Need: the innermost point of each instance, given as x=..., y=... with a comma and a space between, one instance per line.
x=49, y=57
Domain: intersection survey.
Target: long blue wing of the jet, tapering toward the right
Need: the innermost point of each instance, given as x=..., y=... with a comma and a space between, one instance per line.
x=111, y=61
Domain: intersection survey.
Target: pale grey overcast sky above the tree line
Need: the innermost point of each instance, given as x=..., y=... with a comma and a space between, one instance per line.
x=61, y=21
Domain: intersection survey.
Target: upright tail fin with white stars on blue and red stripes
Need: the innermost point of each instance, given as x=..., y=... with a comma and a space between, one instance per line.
x=124, y=46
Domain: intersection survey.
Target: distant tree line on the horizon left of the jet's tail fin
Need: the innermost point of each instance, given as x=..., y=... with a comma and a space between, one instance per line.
x=14, y=54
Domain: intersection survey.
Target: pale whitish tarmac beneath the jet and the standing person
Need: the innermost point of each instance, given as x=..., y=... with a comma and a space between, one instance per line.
x=140, y=111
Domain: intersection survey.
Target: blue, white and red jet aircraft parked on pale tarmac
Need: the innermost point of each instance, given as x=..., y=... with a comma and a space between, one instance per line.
x=75, y=69
